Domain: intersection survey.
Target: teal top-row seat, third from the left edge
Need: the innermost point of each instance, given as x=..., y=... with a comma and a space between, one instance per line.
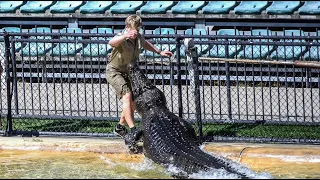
x=65, y=6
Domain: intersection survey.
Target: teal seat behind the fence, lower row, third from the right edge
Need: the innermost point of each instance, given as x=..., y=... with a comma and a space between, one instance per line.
x=257, y=51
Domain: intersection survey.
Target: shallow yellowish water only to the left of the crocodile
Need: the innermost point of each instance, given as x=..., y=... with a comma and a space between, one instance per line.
x=16, y=164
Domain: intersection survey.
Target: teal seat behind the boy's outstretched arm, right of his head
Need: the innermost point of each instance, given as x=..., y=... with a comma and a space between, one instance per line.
x=170, y=47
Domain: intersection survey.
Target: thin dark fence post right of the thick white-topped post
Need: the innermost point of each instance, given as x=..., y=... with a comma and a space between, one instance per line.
x=227, y=66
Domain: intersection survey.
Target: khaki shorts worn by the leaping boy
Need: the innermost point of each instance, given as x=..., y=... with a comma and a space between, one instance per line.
x=119, y=81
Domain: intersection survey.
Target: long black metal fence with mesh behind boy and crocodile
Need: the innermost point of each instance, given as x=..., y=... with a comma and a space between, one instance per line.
x=55, y=82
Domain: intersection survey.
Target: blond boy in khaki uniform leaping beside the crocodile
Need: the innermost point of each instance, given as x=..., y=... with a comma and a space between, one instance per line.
x=126, y=48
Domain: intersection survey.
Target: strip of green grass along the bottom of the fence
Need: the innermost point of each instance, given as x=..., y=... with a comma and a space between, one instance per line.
x=209, y=129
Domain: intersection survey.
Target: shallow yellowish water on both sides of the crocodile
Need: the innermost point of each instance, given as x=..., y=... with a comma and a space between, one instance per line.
x=17, y=164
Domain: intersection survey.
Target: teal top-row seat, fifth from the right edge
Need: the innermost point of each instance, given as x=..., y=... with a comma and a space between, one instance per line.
x=187, y=7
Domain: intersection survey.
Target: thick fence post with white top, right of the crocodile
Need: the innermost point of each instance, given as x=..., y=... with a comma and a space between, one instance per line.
x=192, y=59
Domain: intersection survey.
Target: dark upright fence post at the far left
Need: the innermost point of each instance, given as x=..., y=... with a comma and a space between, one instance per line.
x=8, y=130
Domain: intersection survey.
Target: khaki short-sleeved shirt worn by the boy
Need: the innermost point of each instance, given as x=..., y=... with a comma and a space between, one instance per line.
x=126, y=52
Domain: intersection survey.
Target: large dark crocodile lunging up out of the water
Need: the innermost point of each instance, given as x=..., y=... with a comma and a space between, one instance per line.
x=167, y=138
